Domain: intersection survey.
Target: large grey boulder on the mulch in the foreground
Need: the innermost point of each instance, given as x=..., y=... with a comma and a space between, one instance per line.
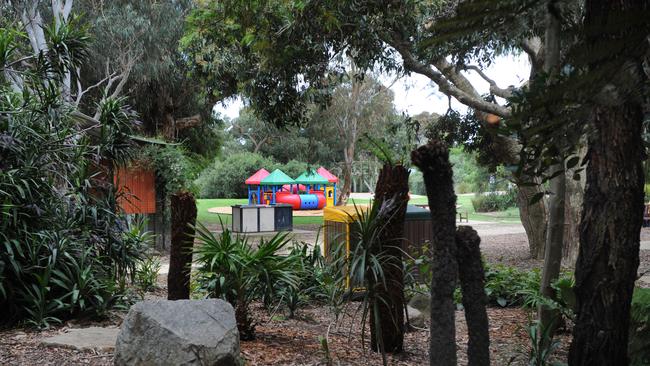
x=181, y=332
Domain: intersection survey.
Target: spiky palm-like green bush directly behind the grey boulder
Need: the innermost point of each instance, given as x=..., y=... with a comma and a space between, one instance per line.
x=233, y=270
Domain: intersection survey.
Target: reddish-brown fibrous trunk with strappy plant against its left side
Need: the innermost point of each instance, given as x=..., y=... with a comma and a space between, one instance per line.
x=391, y=194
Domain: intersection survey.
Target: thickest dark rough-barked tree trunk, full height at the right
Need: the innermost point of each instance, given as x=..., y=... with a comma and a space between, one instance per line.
x=612, y=215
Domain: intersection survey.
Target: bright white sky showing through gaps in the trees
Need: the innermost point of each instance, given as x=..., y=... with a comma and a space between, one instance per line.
x=416, y=93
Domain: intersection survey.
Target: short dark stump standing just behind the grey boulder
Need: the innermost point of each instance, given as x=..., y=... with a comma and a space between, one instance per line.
x=183, y=208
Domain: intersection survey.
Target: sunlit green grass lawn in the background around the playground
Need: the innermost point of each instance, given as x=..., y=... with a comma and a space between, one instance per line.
x=465, y=202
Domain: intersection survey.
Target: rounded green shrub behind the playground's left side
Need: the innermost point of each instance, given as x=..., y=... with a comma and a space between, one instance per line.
x=225, y=178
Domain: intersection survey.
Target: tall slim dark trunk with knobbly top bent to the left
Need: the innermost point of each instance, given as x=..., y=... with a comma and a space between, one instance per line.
x=433, y=161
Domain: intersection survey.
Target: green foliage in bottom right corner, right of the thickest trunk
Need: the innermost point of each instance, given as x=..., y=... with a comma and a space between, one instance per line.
x=639, y=346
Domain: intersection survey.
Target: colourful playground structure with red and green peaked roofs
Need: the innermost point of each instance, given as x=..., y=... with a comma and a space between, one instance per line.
x=312, y=190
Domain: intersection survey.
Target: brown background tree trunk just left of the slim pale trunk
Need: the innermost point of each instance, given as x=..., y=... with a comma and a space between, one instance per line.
x=533, y=218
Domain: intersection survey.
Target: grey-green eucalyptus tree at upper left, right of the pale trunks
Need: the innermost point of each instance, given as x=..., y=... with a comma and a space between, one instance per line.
x=135, y=50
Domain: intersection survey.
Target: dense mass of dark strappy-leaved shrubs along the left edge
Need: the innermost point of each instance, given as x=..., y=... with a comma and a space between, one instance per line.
x=64, y=249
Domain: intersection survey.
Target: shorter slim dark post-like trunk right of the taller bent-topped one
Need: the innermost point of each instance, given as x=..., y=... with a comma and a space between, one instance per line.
x=472, y=285
